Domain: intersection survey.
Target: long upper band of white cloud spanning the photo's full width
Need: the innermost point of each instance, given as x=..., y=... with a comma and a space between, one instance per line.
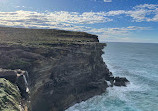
x=140, y=13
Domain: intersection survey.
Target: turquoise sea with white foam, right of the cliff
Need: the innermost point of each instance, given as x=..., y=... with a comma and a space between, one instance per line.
x=138, y=63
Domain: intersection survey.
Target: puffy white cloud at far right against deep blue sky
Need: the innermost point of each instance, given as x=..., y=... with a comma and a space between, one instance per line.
x=139, y=13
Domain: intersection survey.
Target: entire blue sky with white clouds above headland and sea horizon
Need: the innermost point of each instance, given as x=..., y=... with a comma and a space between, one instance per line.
x=111, y=20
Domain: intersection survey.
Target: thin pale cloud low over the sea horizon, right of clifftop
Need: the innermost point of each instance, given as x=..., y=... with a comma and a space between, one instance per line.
x=118, y=34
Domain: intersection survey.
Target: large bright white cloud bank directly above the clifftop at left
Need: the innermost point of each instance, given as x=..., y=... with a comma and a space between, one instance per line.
x=61, y=20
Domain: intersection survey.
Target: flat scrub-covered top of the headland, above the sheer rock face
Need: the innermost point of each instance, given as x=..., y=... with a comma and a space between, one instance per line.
x=43, y=36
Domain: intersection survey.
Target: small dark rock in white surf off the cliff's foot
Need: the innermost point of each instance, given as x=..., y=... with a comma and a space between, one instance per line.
x=120, y=81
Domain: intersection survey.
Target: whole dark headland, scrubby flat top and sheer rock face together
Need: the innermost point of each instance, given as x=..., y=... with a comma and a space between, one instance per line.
x=64, y=67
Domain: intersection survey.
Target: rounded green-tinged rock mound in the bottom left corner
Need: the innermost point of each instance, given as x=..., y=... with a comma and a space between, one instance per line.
x=9, y=96
